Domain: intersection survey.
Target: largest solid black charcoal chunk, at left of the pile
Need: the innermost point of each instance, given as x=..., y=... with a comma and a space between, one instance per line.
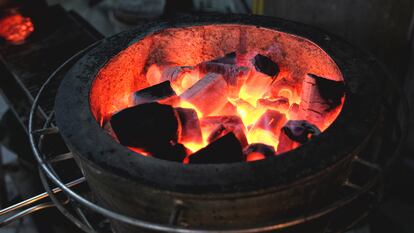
x=146, y=126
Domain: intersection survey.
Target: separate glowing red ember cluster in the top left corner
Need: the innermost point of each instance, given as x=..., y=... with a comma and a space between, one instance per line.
x=15, y=28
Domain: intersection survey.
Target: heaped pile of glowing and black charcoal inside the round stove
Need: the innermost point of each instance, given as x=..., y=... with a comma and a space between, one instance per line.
x=218, y=112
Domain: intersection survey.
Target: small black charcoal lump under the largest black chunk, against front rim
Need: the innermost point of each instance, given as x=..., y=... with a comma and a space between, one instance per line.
x=169, y=152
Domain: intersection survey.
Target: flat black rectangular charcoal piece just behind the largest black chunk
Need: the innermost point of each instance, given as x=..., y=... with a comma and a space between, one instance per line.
x=154, y=93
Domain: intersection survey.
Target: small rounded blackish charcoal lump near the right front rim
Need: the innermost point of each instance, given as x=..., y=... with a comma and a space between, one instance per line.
x=300, y=131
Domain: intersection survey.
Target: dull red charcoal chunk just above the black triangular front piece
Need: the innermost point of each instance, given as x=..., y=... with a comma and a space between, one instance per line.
x=221, y=125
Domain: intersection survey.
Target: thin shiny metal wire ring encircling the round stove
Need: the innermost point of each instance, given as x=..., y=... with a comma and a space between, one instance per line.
x=47, y=171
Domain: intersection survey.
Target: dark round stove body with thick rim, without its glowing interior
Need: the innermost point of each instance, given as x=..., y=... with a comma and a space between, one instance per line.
x=221, y=195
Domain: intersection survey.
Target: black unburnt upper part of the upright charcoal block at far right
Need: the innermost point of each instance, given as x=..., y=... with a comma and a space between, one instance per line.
x=331, y=91
